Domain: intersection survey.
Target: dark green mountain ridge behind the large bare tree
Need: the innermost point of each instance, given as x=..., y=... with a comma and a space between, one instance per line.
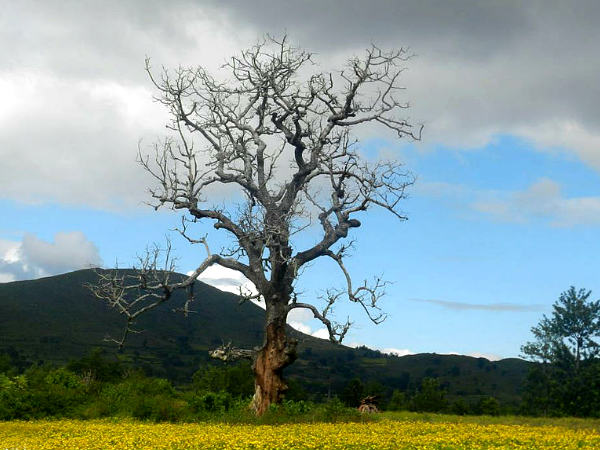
x=57, y=319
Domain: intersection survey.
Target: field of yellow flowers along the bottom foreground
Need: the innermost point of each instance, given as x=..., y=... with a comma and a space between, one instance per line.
x=385, y=434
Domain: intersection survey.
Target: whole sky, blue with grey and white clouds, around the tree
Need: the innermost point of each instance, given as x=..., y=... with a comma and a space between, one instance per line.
x=504, y=214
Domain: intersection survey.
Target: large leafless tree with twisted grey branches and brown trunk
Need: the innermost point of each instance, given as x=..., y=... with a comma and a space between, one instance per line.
x=283, y=140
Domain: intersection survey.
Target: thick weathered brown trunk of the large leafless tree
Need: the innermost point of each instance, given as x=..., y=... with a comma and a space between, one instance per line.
x=277, y=353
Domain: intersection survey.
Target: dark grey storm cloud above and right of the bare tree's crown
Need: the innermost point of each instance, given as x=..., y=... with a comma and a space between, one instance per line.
x=482, y=67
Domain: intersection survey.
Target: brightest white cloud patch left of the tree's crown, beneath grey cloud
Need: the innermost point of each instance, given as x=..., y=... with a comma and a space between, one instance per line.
x=83, y=151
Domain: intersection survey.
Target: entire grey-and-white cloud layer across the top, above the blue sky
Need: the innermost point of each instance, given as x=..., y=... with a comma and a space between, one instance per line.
x=72, y=78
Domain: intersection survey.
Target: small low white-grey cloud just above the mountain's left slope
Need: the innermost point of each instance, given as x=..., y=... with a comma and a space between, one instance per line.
x=34, y=258
